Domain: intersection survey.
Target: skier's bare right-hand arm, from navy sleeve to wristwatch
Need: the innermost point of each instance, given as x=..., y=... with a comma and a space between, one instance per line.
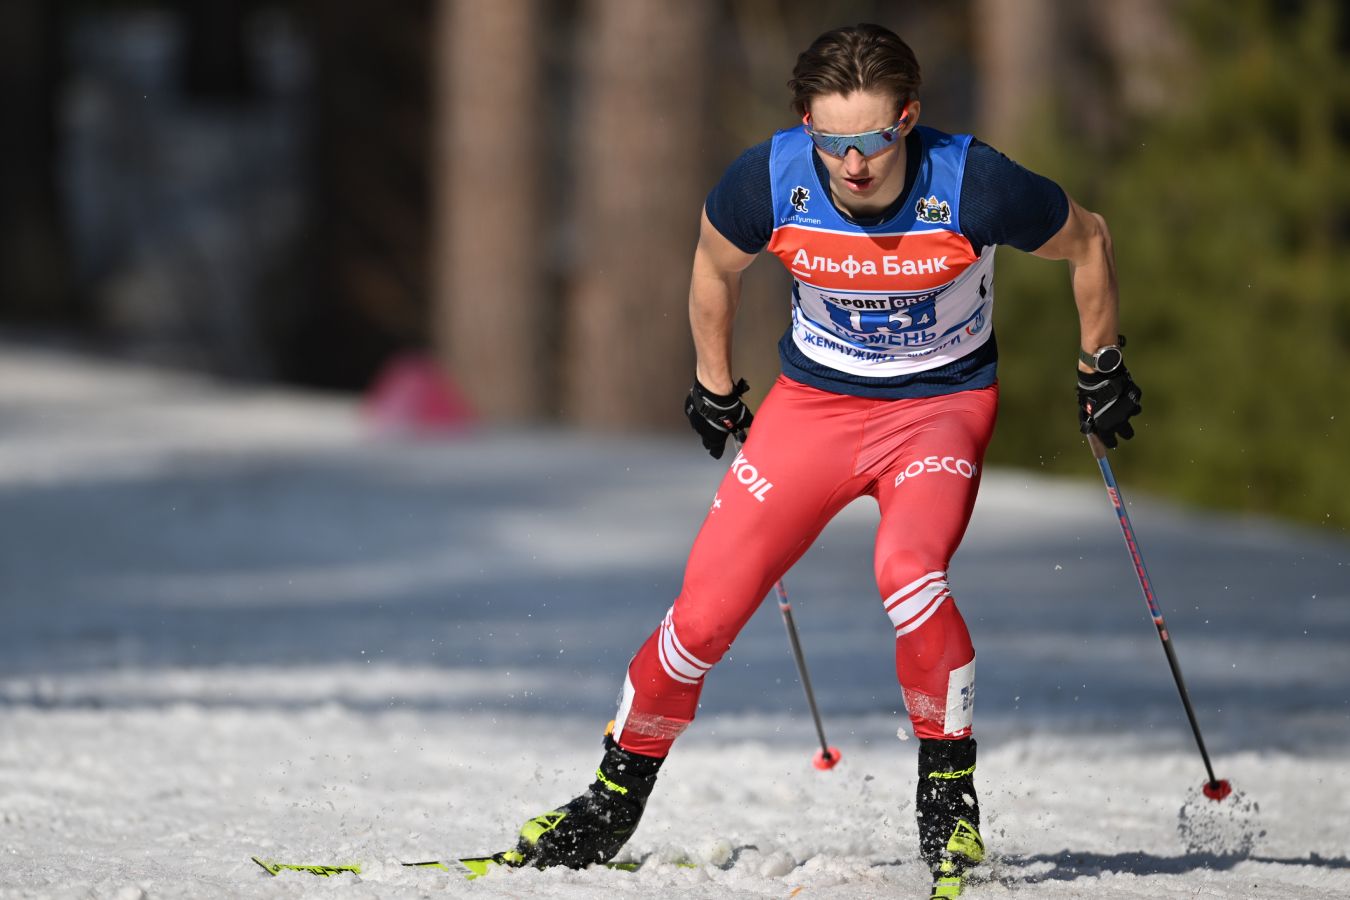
x=1086, y=244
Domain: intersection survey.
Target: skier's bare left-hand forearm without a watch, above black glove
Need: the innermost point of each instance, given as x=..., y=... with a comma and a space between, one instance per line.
x=715, y=292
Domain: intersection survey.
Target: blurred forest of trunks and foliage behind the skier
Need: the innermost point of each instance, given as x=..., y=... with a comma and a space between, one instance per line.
x=304, y=191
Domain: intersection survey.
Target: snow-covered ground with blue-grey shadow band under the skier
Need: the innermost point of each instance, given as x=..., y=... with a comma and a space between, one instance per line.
x=236, y=625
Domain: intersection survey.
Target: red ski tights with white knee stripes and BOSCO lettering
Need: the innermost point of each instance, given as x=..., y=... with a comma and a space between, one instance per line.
x=809, y=454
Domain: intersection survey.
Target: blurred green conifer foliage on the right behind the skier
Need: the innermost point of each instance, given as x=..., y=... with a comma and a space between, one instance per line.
x=1229, y=210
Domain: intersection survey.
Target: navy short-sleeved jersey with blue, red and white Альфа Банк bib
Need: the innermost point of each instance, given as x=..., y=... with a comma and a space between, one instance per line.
x=898, y=306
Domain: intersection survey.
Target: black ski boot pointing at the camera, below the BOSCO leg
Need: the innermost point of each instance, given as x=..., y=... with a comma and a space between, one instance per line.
x=948, y=813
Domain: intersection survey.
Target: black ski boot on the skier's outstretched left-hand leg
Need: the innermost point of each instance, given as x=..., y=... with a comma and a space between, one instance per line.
x=595, y=826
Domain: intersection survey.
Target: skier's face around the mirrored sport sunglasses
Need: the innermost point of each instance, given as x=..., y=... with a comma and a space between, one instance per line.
x=863, y=186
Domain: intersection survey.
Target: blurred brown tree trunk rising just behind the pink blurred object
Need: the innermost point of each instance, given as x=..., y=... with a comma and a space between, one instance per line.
x=492, y=318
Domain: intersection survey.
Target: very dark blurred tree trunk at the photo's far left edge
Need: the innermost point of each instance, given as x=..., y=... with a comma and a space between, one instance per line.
x=33, y=256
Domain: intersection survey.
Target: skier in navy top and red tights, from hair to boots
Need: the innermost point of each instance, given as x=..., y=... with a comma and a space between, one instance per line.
x=889, y=389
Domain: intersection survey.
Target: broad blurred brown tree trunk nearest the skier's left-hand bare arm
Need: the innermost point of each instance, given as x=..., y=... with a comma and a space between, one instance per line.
x=641, y=183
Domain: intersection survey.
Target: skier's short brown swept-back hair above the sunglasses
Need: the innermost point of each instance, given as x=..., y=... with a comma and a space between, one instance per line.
x=862, y=57
